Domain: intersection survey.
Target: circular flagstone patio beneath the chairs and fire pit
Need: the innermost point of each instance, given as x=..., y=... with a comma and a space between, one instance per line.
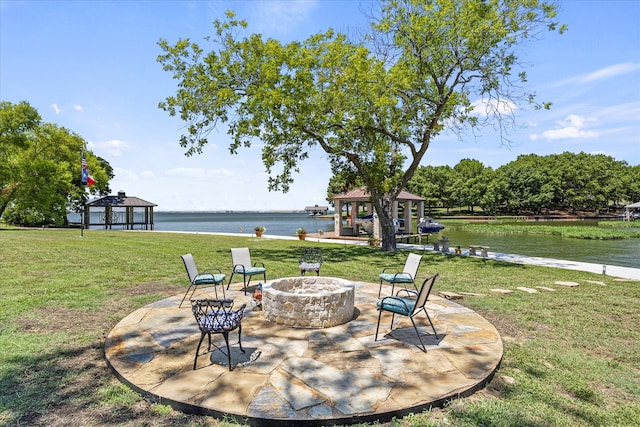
x=292, y=376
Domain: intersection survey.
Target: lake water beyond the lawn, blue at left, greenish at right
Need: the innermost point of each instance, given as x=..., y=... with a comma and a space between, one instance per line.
x=625, y=253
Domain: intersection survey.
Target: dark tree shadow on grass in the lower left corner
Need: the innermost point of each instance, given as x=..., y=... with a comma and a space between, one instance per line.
x=72, y=386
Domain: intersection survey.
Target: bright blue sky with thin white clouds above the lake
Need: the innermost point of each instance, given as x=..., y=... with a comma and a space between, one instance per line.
x=90, y=66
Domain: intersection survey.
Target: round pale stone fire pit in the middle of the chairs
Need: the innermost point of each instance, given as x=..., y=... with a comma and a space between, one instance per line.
x=308, y=302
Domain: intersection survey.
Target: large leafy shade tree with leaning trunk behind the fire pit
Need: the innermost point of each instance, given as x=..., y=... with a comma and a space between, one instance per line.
x=372, y=105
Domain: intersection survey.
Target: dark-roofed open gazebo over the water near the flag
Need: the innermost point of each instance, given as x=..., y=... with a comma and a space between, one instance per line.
x=119, y=210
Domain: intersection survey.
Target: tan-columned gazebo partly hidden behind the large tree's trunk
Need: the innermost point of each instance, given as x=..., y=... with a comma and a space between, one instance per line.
x=359, y=198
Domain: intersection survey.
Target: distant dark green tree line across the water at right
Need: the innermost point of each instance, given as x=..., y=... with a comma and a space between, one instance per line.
x=531, y=184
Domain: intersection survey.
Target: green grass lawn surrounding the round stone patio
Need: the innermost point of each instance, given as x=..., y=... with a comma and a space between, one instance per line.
x=571, y=357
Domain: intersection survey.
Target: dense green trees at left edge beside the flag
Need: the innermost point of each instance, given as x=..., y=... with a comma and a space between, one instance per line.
x=40, y=168
